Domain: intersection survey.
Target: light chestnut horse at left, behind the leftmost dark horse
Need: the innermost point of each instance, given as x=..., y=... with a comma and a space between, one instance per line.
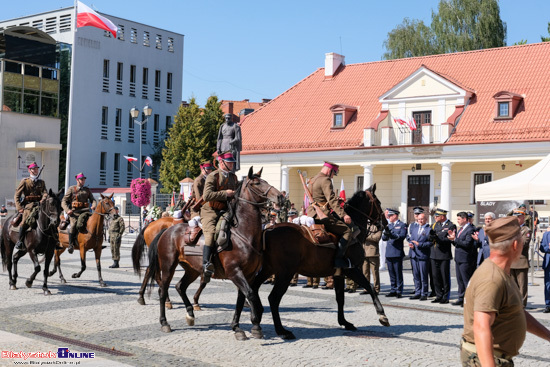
x=91, y=240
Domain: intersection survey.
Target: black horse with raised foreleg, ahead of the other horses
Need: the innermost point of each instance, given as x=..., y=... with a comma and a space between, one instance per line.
x=289, y=250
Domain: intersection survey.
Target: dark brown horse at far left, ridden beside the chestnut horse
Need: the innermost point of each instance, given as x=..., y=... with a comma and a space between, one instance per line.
x=41, y=240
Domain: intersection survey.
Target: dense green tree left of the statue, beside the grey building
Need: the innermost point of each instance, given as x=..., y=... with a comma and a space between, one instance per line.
x=191, y=140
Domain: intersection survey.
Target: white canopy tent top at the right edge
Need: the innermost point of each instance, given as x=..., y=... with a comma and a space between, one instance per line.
x=530, y=184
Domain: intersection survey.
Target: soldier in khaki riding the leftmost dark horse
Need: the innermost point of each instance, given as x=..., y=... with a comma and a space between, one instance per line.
x=30, y=191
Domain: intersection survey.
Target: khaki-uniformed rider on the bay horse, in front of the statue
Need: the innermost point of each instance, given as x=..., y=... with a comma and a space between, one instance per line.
x=218, y=189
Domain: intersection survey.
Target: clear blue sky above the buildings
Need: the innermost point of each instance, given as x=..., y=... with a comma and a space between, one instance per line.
x=253, y=49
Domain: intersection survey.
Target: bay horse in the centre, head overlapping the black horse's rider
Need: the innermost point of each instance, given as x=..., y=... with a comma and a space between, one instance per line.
x=240, y=262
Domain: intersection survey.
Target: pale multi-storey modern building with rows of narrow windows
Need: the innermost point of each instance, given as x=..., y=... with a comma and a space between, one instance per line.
x=141, y=67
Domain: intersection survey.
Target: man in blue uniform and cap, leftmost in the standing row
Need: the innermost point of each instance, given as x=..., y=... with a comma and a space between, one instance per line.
x=395, y=234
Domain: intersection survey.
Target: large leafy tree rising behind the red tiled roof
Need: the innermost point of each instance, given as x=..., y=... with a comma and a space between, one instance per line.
x=458, y=25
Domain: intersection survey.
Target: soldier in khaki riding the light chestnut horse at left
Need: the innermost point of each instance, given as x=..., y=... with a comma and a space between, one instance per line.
x=76, y=201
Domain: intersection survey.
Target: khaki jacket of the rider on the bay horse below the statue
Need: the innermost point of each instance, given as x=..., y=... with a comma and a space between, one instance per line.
x=214, y=191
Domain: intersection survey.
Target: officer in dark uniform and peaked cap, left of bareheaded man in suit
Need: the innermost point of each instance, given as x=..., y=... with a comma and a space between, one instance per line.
x=441, y=255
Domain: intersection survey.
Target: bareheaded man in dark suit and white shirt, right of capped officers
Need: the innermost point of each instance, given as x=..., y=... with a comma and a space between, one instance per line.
x=465, y=254
